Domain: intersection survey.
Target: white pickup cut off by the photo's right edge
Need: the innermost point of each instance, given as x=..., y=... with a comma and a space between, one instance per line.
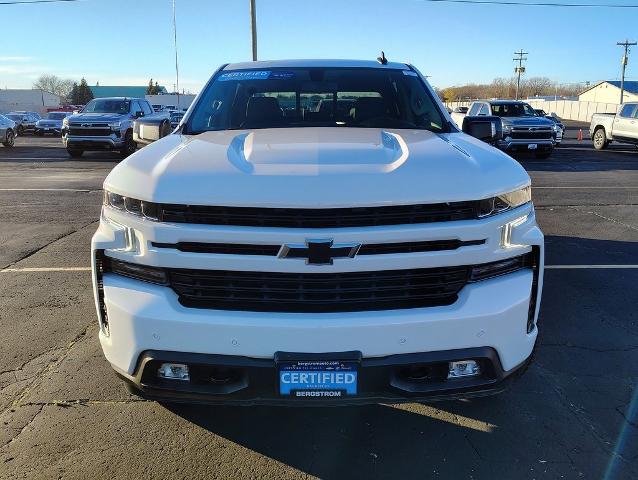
x=620, y=127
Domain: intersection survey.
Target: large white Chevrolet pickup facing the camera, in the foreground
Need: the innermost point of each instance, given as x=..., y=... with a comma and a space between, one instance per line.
x=317, y=231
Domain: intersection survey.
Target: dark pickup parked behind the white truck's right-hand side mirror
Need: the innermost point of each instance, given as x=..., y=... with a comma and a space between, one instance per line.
x=523, y=130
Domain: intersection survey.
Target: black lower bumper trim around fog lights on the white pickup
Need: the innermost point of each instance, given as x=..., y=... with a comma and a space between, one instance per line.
x=250, y=381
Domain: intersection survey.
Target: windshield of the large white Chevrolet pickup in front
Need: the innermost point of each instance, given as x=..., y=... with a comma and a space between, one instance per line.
x=315, y=97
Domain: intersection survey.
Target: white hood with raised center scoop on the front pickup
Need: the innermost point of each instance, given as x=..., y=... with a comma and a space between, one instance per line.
x=316, y=167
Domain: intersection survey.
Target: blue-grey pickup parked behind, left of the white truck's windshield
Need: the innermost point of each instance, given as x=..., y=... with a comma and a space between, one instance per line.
x=104, y=124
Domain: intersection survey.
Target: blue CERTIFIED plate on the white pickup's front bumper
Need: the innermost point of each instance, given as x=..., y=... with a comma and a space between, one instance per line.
x=318, y=378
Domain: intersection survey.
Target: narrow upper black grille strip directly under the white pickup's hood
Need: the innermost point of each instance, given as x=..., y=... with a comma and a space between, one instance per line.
x=320, y=218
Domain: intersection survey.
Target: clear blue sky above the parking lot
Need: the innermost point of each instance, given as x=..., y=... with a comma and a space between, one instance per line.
x=126, y=42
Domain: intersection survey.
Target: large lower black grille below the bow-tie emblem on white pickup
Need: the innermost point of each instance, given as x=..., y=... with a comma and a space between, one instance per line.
x=310, y=292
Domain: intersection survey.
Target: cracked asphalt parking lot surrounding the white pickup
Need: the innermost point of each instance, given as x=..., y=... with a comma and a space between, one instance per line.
x=573, y=415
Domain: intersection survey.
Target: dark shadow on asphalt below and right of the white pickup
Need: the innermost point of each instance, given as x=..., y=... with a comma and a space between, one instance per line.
x=560, y=420
